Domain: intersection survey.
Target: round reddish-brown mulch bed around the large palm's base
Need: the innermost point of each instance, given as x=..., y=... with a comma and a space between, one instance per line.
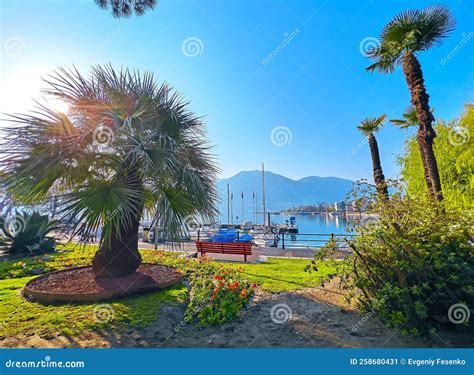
x=79, y=284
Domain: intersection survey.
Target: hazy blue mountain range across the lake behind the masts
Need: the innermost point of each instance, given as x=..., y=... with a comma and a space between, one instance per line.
x=281, y=192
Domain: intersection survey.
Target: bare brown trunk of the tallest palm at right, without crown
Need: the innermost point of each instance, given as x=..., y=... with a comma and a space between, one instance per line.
x=426, y=134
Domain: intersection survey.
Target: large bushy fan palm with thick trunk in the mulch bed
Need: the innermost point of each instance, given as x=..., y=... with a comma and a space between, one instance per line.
x=125, y=145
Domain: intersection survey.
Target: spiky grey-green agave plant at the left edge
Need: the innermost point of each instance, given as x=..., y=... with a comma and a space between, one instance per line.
x=27, y=234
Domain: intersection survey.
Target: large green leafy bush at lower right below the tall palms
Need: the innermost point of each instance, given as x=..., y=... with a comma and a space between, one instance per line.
x=414, y=263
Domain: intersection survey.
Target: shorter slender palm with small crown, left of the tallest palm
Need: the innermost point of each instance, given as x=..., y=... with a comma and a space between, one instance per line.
x=368, y=127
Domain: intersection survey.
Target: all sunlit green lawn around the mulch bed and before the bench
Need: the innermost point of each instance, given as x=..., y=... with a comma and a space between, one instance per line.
x=19, y=316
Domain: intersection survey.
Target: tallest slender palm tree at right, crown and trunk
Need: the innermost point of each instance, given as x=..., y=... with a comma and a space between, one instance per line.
x=408, y=33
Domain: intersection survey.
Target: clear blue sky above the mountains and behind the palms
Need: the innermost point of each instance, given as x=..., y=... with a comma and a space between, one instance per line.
x=309, y=97
